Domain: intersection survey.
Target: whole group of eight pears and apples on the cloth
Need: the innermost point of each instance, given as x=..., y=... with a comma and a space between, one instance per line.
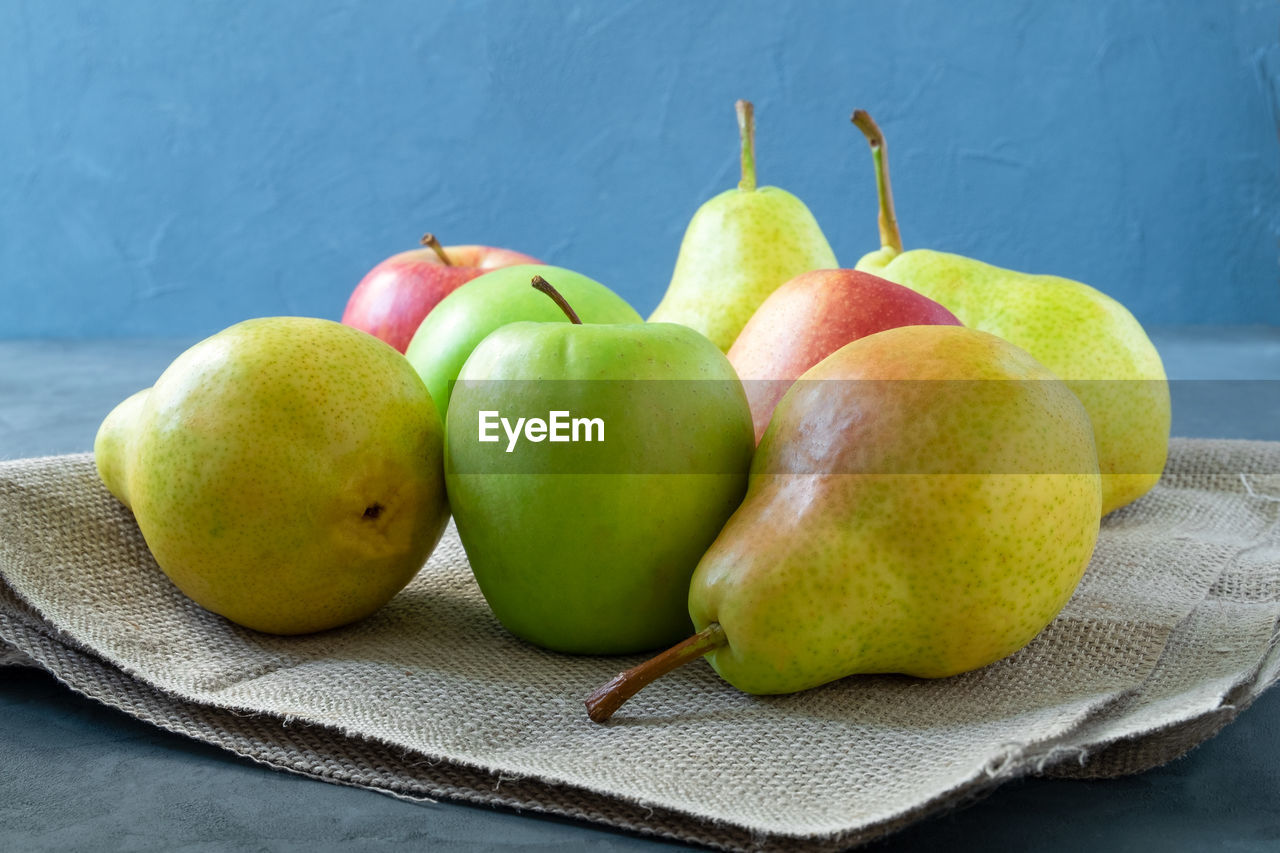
x=898, y=468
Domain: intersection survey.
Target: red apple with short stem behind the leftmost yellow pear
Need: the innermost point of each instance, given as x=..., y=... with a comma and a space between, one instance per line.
x=392, y=300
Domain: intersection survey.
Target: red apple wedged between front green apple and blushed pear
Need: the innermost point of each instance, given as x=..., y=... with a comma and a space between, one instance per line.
x=810, y=318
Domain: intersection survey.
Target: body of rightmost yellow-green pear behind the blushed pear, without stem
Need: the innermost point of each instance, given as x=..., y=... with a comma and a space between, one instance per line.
x=1082, y=335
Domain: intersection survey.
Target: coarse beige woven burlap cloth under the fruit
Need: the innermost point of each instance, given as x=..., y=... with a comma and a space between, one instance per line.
x=1172, y=633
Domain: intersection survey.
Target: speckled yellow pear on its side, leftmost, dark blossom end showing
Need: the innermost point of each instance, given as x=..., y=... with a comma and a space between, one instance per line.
x=286, y=473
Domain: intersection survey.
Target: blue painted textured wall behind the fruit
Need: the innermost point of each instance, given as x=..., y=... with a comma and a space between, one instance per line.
x=171, y=168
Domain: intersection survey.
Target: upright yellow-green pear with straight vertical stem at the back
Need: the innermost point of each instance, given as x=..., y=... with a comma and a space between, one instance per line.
x=739, y=248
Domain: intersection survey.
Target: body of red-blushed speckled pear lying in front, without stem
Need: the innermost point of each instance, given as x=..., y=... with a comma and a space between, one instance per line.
x=944, y=568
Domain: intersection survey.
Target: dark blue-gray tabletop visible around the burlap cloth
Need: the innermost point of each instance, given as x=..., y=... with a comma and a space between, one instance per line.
x=79, y=776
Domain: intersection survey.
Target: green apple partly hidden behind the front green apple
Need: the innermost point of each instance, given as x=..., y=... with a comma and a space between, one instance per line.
x=464, y=318
